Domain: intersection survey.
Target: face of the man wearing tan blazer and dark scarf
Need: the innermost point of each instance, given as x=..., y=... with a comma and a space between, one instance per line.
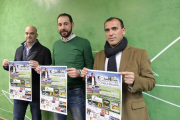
x=114, y=32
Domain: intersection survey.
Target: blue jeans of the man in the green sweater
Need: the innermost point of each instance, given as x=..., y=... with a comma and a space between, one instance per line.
x=76, y=104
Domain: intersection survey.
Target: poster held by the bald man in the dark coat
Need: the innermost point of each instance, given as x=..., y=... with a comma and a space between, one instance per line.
x=20, y=80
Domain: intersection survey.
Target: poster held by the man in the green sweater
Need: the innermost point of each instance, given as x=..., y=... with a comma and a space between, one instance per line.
x=53, y=94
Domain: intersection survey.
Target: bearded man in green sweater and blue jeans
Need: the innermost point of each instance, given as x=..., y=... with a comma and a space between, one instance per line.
x=75, y=53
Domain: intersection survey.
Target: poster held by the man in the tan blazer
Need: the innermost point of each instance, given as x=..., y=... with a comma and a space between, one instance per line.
x=103, y=95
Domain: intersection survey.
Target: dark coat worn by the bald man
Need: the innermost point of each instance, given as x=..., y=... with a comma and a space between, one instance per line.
x=38, y=53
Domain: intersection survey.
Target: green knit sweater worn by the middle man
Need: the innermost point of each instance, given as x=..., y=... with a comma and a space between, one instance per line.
x=76, y=53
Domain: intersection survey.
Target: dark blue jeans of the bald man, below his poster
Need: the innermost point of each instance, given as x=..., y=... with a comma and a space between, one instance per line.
x=20, y=109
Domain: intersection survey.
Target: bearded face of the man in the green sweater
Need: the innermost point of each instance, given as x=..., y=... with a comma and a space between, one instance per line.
x=65, y=26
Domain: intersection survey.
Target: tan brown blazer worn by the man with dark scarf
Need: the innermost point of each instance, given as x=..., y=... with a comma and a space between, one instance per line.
x=137, y=61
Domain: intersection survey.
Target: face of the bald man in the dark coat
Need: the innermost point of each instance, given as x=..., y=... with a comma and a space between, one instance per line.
x=31, y=35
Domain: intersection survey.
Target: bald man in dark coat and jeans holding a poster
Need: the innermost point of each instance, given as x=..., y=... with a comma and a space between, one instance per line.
x=32, y=51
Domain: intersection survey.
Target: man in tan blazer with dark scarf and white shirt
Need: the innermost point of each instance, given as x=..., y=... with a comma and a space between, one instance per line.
x=132, y=63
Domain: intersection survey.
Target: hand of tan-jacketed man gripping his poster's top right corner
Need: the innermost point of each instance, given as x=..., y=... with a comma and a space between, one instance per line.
x=128, y=77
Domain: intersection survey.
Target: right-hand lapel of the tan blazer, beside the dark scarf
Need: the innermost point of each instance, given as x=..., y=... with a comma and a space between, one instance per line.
x=124, y=58
